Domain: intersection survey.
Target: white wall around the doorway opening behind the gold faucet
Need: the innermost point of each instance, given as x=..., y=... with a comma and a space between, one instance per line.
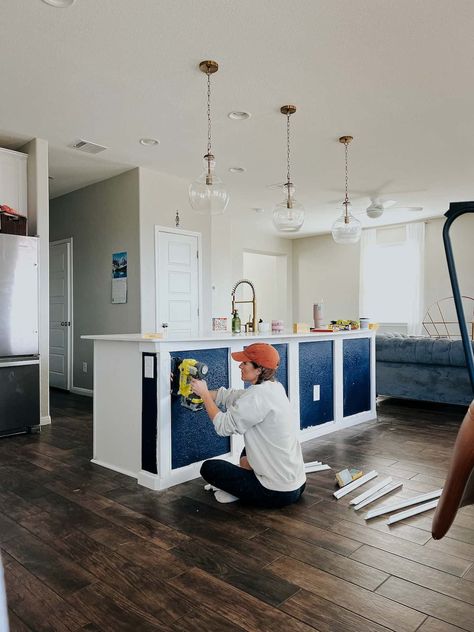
x=232, y=234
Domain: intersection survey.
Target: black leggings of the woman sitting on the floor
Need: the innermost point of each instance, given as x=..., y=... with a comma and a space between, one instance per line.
x=245, y=485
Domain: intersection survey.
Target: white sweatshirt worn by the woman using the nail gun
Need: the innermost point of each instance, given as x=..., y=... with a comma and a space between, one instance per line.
x=263, y=414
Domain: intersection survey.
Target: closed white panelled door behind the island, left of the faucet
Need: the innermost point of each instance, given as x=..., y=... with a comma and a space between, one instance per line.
x=177, y=281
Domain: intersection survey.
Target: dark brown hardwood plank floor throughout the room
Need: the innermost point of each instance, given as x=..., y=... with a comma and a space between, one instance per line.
x=85, y=548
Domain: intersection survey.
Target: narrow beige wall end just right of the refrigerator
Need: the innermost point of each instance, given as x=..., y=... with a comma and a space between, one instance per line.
x=38, y=224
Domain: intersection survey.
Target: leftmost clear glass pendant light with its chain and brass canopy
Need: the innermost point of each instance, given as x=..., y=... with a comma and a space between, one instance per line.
x=207, y=194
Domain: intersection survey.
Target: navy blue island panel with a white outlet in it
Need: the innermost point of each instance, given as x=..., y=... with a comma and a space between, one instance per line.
x=316, y=368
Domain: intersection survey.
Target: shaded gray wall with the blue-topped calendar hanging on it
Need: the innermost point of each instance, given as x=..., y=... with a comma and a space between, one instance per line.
x=102, y=219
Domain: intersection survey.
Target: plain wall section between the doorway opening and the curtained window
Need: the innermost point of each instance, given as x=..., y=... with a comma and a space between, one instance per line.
x=325, y=270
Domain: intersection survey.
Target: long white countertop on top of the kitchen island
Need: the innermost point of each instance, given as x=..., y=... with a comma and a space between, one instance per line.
x=226, y=336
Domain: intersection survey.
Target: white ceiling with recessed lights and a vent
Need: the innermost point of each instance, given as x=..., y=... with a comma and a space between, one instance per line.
x=395, y=74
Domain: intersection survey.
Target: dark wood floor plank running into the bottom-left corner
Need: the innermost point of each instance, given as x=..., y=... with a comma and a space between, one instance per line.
x=38, y=606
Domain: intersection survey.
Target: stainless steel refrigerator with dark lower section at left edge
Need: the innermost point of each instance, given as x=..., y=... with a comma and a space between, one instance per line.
x=19, y=359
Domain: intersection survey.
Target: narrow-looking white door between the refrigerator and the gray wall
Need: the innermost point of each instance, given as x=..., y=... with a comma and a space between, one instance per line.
x=60, y=314
